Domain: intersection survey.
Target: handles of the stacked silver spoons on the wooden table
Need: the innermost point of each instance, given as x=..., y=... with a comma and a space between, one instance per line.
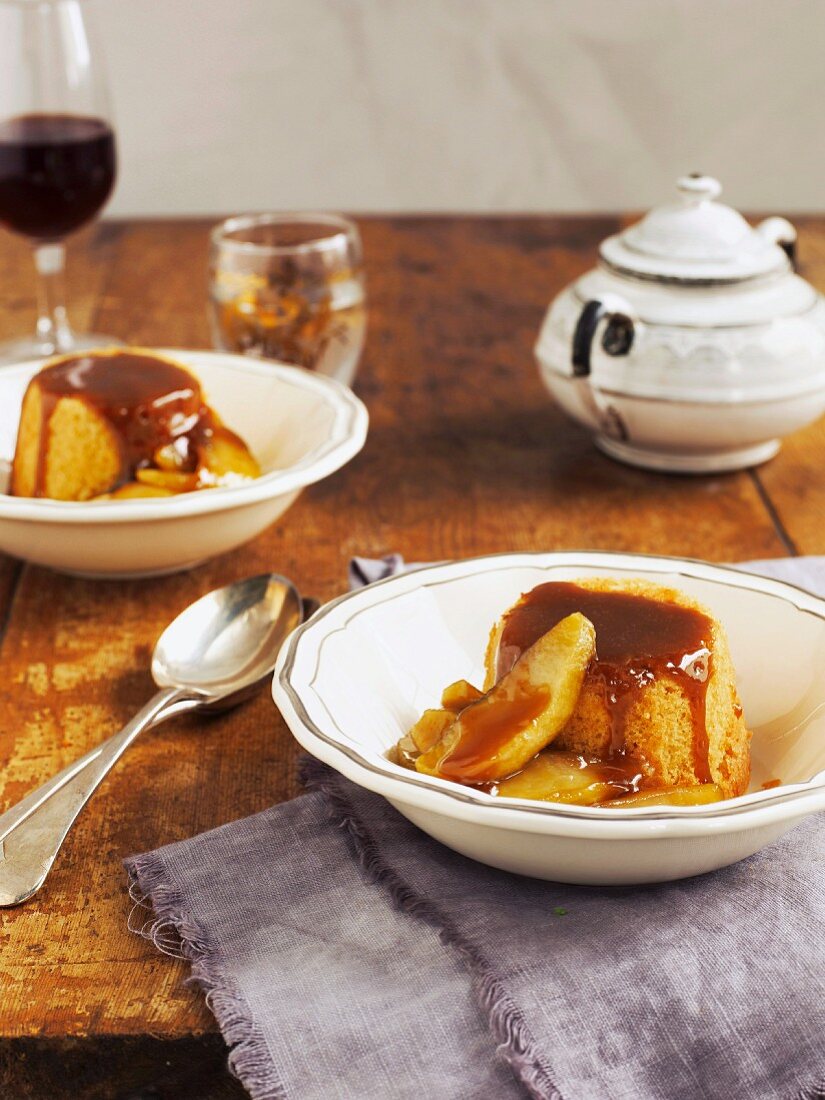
x=32, y=832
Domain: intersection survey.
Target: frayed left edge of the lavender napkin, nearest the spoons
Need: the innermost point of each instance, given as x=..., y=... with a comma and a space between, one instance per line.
x=250, y=1060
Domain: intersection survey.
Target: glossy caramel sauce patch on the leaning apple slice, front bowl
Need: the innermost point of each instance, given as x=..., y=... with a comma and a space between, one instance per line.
x=487, y=728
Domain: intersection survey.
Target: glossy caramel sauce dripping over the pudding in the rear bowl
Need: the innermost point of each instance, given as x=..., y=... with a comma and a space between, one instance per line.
x=149, y=402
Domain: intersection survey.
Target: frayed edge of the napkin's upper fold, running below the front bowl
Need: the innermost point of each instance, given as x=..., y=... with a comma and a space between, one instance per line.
x=515, y=1043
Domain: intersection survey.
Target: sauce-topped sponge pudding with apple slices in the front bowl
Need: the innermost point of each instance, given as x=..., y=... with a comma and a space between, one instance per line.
x=642, y=710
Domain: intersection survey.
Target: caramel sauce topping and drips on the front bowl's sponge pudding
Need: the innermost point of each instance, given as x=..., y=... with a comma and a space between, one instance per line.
x=639, y=642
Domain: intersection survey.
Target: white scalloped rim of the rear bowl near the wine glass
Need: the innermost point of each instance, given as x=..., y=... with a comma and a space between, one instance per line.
x=346, y=439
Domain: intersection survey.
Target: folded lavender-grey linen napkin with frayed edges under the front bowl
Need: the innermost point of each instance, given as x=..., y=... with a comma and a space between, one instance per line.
x=347, y=955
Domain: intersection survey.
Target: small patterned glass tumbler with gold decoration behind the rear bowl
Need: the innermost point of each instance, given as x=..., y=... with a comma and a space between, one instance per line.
x=290, y=287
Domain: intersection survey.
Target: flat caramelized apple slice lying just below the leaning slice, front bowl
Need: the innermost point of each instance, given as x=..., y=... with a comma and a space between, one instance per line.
x=556, y=776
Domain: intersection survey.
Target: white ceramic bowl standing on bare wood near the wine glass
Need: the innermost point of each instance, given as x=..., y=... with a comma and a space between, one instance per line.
x=301, y=427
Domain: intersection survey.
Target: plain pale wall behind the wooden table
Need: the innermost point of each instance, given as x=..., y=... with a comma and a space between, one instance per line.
x=464, y=105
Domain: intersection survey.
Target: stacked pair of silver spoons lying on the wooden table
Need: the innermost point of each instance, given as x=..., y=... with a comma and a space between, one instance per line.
x=213, y=656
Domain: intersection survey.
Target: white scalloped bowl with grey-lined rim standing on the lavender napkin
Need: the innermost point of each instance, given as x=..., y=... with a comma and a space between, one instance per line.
x=359, y=674
